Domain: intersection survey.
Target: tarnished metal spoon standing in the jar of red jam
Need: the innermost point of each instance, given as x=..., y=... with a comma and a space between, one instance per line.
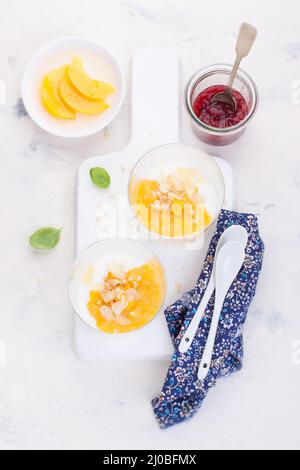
x=247, y=36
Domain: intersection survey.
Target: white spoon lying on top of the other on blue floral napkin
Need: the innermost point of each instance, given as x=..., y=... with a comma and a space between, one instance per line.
x=229, y=262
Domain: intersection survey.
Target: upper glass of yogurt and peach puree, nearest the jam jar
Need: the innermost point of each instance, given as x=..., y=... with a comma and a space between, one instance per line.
x=201, y=176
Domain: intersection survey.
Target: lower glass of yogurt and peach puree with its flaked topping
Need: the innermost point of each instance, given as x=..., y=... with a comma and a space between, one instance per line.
x=117, y=286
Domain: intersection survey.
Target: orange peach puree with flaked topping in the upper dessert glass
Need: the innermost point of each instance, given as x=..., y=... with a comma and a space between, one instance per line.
x=171, y=206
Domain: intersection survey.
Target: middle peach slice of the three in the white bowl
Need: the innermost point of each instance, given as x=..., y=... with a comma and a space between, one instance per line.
x=77, y=101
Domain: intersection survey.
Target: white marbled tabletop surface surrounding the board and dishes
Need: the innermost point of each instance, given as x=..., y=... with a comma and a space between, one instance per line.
x=49, y=399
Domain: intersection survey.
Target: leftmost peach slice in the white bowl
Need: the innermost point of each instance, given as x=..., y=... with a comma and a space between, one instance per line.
x=51, y=97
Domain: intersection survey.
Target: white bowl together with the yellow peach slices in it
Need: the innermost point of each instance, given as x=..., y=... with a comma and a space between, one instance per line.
x=73, y=87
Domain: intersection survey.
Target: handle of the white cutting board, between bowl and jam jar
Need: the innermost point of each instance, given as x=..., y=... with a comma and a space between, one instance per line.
x=155, y=97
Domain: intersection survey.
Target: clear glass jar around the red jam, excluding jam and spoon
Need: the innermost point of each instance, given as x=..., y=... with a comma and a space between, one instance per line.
x=213, y=75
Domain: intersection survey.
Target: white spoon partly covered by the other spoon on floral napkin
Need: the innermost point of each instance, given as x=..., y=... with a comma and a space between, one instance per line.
x=233, y=233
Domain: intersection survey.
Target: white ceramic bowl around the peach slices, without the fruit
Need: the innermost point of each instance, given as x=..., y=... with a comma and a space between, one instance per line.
x=98, y=62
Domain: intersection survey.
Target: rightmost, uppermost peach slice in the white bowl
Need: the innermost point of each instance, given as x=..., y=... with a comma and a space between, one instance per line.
x=91, y=89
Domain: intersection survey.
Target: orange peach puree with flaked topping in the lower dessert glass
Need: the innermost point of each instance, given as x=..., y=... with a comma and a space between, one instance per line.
x=127, y=301
